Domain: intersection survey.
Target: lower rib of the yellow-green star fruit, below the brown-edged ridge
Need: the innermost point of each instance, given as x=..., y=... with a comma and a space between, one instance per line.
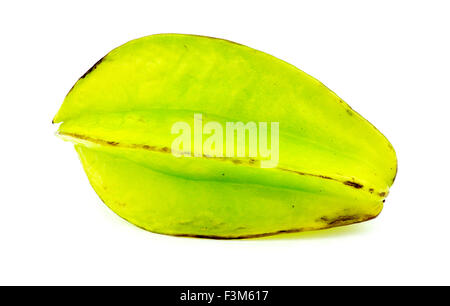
x=156, y=201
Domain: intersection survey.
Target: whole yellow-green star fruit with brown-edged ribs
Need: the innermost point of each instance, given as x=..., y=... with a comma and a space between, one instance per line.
x=334, y=167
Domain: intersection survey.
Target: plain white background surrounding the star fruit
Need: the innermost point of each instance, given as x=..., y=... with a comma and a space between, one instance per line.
x=388, y=59
